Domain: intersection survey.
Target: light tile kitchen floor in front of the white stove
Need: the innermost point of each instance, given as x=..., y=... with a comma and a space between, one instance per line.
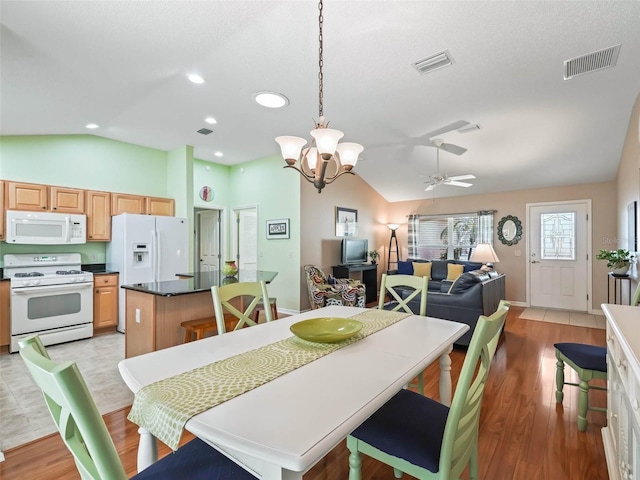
x=23, y=414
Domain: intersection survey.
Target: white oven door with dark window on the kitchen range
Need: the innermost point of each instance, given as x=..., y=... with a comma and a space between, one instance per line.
x=35, y=309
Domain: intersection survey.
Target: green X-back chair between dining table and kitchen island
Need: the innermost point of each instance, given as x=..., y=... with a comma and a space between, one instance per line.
x=226, y=297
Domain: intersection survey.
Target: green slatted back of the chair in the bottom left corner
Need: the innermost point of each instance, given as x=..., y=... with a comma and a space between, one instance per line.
x=74, y=412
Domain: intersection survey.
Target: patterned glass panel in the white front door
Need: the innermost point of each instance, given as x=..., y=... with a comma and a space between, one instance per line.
x=558, y=236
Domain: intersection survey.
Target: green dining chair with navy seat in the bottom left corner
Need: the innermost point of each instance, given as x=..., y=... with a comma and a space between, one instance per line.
x=86, y=436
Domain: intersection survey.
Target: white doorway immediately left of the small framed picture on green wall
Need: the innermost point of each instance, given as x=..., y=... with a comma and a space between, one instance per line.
x=245, y=238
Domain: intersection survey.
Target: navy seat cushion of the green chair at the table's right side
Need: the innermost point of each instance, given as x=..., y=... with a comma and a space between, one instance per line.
x=409, y=426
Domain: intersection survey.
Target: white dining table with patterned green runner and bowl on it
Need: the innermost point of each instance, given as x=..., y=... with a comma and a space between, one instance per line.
x=284, y=427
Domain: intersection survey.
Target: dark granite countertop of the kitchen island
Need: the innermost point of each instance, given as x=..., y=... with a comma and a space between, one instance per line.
x=199, y=282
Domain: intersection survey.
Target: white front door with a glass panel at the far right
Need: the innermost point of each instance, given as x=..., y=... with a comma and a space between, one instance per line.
x=559, y=239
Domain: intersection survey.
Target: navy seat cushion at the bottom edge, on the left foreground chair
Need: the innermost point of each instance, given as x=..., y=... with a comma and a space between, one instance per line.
x=196, y=461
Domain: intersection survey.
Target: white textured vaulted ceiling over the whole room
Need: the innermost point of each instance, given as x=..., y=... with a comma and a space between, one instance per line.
x=123, y=66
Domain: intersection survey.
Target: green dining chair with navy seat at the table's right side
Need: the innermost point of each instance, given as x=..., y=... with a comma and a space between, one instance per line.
x=424, y=438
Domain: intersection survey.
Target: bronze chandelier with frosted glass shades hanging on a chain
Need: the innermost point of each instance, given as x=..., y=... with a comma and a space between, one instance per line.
x=312, y=162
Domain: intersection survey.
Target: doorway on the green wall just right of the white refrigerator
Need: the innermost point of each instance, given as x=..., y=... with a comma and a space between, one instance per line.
x=209, y=239
